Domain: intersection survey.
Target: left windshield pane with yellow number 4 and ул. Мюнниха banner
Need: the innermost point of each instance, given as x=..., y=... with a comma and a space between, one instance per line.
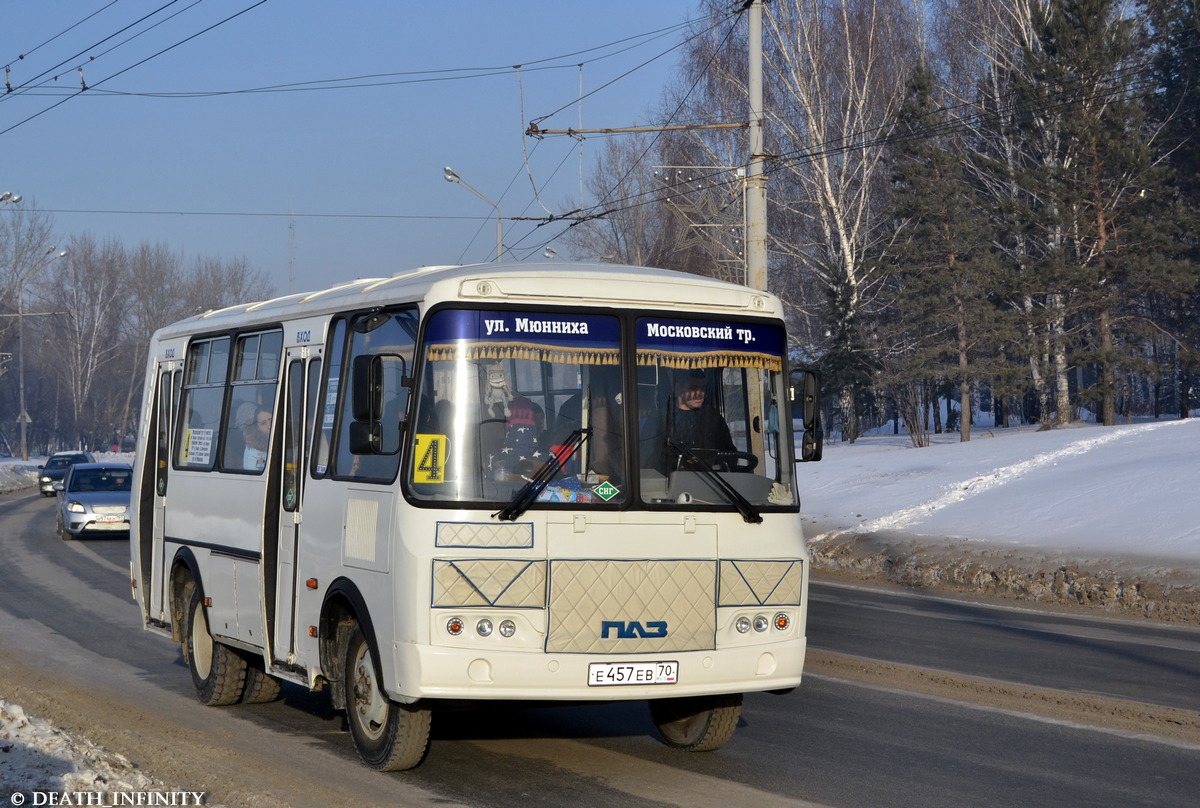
x=507, y=394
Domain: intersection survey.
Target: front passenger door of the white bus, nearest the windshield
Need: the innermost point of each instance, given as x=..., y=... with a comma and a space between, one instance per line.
x=302, y=378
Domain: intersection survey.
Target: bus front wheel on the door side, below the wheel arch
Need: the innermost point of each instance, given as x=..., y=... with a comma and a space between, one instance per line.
x=389, y=737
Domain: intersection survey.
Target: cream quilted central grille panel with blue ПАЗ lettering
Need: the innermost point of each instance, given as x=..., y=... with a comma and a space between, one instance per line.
x=632, y=607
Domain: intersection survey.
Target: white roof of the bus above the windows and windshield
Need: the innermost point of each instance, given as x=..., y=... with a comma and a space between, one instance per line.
x=529, y=283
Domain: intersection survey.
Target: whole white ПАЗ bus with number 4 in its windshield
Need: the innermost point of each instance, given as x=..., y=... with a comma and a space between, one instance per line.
x=502, y=482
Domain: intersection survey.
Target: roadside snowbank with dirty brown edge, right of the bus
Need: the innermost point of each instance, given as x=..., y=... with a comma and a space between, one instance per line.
x=1085, y=516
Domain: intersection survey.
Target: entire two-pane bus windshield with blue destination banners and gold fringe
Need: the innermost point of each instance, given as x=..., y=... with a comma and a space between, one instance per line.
x=513, y=398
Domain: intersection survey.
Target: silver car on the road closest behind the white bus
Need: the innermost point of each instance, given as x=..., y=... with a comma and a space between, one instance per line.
x=94, y=499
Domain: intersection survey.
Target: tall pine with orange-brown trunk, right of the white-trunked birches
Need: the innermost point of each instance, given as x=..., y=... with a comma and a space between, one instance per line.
x=1091, y=184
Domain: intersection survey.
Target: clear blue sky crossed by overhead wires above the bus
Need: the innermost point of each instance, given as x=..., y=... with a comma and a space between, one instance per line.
x=219, y=170
